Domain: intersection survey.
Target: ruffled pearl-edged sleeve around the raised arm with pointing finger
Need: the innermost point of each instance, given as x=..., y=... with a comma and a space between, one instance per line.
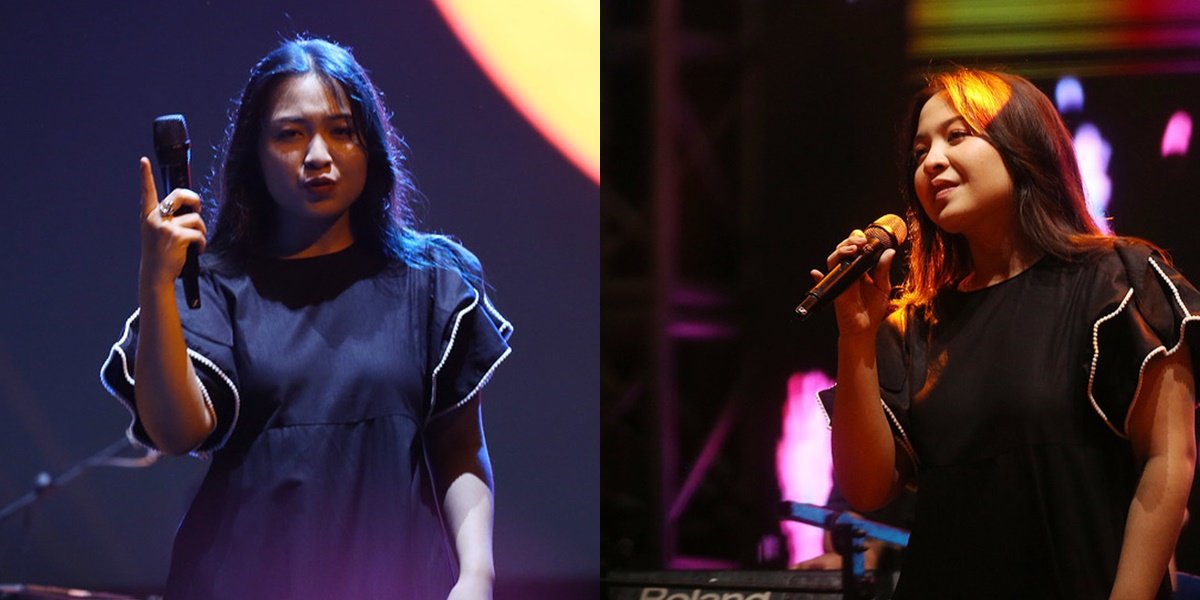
x=209, y=338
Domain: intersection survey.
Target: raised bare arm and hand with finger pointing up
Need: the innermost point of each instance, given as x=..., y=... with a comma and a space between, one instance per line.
x=169, y=395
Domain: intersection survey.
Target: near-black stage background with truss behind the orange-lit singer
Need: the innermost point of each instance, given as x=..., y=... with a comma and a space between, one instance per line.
x=742, y=141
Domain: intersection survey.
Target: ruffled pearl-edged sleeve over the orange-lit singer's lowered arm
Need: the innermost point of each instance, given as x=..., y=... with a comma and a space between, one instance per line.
x=1144, y=309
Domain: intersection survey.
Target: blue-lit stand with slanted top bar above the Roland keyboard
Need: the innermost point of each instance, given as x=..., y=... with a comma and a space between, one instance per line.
x=850, y=533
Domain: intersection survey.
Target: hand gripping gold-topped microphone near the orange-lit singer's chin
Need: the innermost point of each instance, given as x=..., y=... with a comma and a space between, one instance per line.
x=866, y=296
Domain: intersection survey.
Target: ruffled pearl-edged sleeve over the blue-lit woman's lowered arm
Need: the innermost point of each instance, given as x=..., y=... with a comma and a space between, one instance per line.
x=469, y=338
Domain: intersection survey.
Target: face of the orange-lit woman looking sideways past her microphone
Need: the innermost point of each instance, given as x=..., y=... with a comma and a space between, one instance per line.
x=961, y=179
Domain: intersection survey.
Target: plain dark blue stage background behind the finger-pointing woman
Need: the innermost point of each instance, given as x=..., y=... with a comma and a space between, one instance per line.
x=81, y=86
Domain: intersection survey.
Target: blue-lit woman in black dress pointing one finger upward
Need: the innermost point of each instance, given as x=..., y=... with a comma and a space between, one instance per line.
x=333, y=370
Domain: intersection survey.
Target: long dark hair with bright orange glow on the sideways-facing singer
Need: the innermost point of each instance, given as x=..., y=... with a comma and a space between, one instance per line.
x=1016, y=118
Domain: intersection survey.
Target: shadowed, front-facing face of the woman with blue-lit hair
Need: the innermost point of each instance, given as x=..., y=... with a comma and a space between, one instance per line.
x=313, y=160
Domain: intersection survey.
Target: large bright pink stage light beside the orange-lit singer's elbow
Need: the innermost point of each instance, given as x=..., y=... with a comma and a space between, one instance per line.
x=803, y=464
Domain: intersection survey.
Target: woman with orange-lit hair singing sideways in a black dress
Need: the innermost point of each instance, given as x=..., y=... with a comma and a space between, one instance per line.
x=1034, y=380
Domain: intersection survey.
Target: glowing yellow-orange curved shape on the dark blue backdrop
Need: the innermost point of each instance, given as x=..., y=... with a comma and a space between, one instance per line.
x=545, y=57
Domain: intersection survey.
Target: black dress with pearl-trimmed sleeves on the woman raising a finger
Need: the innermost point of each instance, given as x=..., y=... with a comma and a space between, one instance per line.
x=323, y=375
